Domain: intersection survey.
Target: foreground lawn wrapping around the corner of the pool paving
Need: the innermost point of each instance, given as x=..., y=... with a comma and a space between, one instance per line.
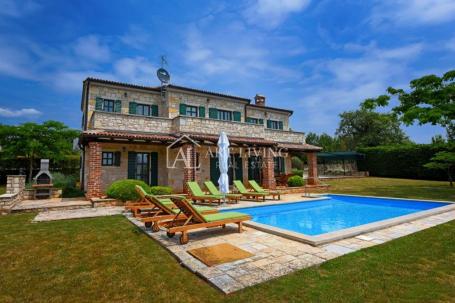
x=109, y=260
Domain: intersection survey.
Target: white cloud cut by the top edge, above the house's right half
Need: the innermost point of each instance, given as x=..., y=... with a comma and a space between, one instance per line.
x=271, y=13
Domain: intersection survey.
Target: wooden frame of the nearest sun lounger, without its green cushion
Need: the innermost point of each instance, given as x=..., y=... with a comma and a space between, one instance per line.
x=195, y=221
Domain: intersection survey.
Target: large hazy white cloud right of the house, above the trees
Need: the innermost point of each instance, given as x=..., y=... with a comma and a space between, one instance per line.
x=348, y=81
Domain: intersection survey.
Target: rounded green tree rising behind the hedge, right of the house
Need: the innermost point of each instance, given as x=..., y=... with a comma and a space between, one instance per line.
x=366, y=128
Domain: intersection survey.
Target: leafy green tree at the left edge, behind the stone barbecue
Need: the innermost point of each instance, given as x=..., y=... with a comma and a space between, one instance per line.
x=31, y=141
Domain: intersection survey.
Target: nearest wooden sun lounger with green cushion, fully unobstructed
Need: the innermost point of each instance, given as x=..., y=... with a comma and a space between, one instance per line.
x=197, y=220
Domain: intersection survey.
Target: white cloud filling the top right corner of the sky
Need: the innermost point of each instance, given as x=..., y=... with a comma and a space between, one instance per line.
x=413, y=12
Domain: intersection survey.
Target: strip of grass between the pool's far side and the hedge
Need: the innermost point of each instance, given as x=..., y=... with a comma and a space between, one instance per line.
x=400, y=188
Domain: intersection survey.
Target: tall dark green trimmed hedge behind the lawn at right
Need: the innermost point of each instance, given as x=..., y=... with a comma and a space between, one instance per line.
x=402, y=161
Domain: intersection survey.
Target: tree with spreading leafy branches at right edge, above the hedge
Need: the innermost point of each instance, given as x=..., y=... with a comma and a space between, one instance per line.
x=431, y=99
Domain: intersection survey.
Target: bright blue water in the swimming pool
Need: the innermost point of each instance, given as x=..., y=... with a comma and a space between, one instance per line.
x=335, y=213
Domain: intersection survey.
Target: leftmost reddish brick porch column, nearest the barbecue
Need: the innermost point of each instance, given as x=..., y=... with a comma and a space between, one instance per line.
x=94, y=171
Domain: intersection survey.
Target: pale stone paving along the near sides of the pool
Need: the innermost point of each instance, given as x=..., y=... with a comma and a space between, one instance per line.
x=274, y=256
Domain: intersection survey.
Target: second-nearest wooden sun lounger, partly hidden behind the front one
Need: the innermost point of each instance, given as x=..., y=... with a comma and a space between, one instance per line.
x=164, y=211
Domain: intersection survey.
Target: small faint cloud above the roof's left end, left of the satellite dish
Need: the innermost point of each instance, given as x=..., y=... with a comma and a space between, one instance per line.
x=91, y=48
